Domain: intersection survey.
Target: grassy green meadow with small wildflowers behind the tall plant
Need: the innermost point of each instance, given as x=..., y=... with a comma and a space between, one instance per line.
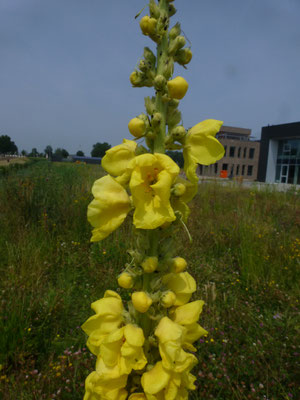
x=245, y=256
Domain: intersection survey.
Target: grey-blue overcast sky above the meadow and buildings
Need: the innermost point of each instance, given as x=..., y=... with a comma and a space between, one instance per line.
x=65, y=66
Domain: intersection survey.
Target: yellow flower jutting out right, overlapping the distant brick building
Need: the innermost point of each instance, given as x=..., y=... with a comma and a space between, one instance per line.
x=201, y=147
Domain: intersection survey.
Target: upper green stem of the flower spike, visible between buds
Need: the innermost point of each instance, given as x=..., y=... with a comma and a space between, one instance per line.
x=161, y=107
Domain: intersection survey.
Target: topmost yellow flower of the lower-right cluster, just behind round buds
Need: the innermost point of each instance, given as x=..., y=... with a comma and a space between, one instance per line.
x=182, y=284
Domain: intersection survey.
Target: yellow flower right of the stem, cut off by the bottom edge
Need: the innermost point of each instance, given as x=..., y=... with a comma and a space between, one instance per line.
x=162, y=384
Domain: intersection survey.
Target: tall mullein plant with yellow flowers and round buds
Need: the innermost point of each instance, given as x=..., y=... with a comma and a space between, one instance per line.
x=144, y=346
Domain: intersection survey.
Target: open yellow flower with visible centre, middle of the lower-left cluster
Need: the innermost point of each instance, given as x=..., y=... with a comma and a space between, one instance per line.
x=124, y=347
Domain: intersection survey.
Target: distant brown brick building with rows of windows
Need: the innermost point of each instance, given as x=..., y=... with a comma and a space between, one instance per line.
x=241, y=155
